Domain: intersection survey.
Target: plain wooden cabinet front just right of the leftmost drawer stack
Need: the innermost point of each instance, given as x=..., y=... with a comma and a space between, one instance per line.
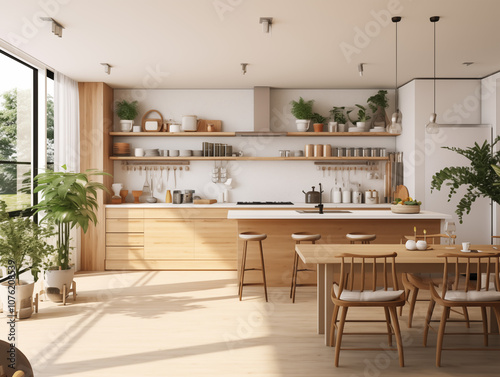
x=168, y=239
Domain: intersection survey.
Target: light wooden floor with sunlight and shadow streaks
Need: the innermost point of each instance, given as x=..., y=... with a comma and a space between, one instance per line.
x=192, y=324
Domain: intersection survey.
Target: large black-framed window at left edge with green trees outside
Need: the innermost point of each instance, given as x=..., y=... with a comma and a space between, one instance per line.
x=18, y=130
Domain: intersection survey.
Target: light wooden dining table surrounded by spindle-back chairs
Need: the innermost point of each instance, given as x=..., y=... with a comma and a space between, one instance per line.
x=325, y=256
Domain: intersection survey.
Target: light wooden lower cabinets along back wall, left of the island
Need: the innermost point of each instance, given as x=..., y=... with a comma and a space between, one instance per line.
x=170, y=238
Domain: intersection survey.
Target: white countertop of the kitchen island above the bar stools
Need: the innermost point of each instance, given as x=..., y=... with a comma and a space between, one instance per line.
x=355, y=214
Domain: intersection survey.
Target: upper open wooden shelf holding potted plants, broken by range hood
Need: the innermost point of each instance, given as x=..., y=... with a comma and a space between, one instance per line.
x=230, y=134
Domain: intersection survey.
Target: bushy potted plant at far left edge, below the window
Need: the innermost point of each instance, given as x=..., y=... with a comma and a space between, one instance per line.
x=23, y=247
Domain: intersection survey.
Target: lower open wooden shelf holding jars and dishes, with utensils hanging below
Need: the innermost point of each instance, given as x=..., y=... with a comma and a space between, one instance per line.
x=250, y=158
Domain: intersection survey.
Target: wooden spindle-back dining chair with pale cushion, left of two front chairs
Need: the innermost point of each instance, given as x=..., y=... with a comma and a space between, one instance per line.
x=356, y=289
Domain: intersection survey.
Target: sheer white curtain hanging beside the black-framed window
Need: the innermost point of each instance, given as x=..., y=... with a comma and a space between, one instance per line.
x=67, y=139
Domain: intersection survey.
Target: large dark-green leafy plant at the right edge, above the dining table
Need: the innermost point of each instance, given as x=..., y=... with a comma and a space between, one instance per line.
x=479, y=179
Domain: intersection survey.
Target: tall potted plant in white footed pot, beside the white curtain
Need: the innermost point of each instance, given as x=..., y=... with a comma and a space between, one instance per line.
x=68, y=200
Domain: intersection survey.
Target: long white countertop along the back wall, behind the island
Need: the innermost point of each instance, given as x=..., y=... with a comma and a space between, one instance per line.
x=244, y=207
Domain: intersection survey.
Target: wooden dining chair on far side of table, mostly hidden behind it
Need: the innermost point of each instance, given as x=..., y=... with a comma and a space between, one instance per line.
x=414, y=282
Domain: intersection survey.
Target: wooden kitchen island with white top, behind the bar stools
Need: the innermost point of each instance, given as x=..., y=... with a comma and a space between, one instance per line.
x=279, y=248
